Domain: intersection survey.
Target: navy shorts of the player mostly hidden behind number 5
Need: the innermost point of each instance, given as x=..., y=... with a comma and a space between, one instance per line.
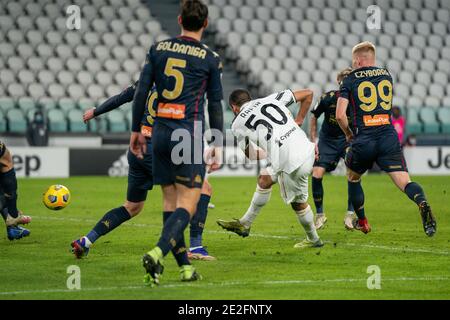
x=140, y=175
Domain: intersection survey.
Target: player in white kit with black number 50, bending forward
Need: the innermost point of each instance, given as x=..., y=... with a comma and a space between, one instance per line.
x=265, y=128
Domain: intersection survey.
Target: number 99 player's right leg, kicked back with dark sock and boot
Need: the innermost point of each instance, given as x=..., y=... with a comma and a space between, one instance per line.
x=415, y=192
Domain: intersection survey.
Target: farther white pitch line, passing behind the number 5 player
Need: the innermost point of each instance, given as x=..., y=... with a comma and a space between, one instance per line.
x=266, y=236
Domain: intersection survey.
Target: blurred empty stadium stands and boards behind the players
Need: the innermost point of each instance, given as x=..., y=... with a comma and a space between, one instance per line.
x=266, y=45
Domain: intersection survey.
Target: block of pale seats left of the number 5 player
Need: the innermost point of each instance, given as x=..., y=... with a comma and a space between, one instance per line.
x=42, y=62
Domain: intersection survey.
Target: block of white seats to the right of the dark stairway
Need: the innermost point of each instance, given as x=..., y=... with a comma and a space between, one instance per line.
x=297, y=43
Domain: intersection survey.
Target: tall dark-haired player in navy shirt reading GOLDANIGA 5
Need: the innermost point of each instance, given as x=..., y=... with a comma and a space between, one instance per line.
x=183, y=70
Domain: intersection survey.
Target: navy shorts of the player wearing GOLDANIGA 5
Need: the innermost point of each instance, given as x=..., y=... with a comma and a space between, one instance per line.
x=189, y=171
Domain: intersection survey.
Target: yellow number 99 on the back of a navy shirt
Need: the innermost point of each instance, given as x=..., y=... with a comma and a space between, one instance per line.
x=370, y=102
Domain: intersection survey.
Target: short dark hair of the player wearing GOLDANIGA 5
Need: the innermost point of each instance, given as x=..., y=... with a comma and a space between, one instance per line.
x=193, y=14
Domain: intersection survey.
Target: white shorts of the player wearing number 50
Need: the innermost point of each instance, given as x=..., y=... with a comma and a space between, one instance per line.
x=294, y=185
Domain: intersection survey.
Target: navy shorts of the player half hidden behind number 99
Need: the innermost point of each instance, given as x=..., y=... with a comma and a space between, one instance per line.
x=331, y=150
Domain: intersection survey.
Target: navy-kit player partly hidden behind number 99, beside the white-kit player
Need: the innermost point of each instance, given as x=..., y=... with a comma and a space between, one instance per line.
x=331, y=148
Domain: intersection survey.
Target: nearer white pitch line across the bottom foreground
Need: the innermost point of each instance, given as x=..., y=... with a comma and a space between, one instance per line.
x=226, y=284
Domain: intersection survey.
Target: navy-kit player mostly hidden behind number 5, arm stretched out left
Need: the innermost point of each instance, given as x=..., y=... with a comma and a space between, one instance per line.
x=140, y=180
